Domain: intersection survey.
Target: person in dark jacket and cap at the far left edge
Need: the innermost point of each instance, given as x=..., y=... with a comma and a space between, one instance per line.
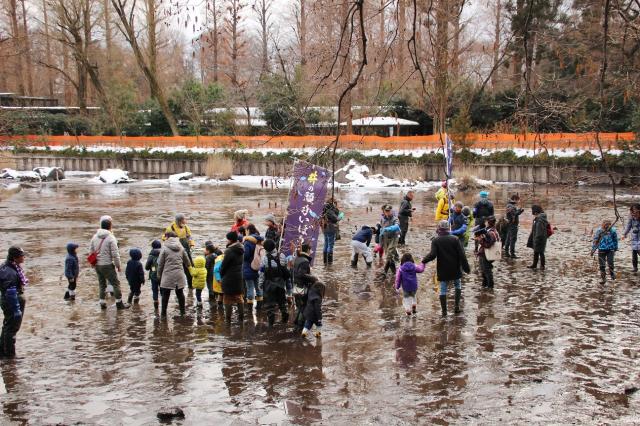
x=12, y=283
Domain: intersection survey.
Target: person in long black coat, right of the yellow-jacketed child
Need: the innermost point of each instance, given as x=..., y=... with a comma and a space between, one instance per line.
x=232, y=280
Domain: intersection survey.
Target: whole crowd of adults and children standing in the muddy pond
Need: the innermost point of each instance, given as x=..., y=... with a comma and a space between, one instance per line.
x=251, y=272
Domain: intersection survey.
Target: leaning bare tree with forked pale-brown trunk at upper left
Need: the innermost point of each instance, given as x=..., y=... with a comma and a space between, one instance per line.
x=146, y=56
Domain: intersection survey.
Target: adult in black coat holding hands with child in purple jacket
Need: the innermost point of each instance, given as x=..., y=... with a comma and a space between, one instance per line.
x=452, y=261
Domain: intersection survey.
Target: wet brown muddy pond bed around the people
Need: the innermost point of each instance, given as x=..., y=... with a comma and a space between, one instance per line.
x=547, y=347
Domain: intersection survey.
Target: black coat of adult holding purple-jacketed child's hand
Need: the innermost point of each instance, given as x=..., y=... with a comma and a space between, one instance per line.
x=451, y=258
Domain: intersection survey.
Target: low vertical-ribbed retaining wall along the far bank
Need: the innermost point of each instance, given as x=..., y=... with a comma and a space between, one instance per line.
x=156, y=168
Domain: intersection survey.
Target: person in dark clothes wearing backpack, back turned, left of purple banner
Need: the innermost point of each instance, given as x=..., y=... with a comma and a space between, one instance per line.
x=273, y=279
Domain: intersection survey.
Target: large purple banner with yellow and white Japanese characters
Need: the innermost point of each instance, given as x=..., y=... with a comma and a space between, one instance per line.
x=306, y=200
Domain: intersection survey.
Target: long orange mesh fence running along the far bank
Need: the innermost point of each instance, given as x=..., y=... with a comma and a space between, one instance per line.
x=490, y=141
